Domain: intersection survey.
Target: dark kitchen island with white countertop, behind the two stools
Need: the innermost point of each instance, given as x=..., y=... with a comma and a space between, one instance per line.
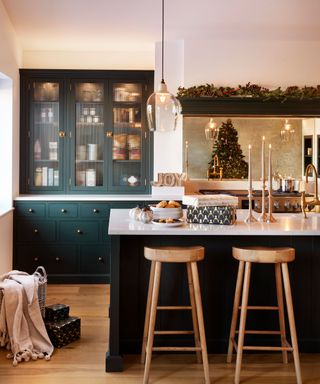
x=130, y=274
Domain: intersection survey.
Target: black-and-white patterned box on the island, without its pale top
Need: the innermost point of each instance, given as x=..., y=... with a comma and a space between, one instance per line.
x=225, y=215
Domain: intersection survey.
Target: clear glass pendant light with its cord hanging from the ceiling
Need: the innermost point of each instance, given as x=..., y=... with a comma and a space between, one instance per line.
x=163, y=108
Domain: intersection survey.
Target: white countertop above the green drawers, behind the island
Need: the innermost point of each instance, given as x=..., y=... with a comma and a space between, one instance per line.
x=93, y=197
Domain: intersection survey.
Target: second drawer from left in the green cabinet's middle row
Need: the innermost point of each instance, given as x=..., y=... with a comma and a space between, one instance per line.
x=79, y=231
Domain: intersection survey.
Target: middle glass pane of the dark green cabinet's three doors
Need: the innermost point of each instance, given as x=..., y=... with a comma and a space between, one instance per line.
x=88, y=152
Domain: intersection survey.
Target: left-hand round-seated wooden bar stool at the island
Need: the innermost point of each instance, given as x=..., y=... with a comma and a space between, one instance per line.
x=190, y=256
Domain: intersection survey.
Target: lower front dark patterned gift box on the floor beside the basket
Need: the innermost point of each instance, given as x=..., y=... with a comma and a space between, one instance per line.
x=64, y=331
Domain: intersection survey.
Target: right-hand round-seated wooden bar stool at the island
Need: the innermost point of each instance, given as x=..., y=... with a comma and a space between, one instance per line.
x=280, y=257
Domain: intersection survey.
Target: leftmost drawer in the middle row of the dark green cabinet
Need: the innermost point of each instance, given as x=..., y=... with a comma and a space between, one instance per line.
x=36, y=230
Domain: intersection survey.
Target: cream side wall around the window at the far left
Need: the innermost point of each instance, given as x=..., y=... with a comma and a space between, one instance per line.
x=10, y=60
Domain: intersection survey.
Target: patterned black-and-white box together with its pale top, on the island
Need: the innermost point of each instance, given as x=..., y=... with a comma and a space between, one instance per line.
x=211, y=209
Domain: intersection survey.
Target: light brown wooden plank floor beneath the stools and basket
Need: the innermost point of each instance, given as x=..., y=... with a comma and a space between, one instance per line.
x=83, y=362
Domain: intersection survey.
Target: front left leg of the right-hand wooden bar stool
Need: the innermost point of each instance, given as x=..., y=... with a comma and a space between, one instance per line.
x=243, y=317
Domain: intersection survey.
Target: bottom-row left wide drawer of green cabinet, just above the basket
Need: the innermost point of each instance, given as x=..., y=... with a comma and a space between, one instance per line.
x=56, y=259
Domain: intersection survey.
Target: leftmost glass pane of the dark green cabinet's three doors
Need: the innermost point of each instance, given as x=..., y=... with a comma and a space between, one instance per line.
x=46, y=136
